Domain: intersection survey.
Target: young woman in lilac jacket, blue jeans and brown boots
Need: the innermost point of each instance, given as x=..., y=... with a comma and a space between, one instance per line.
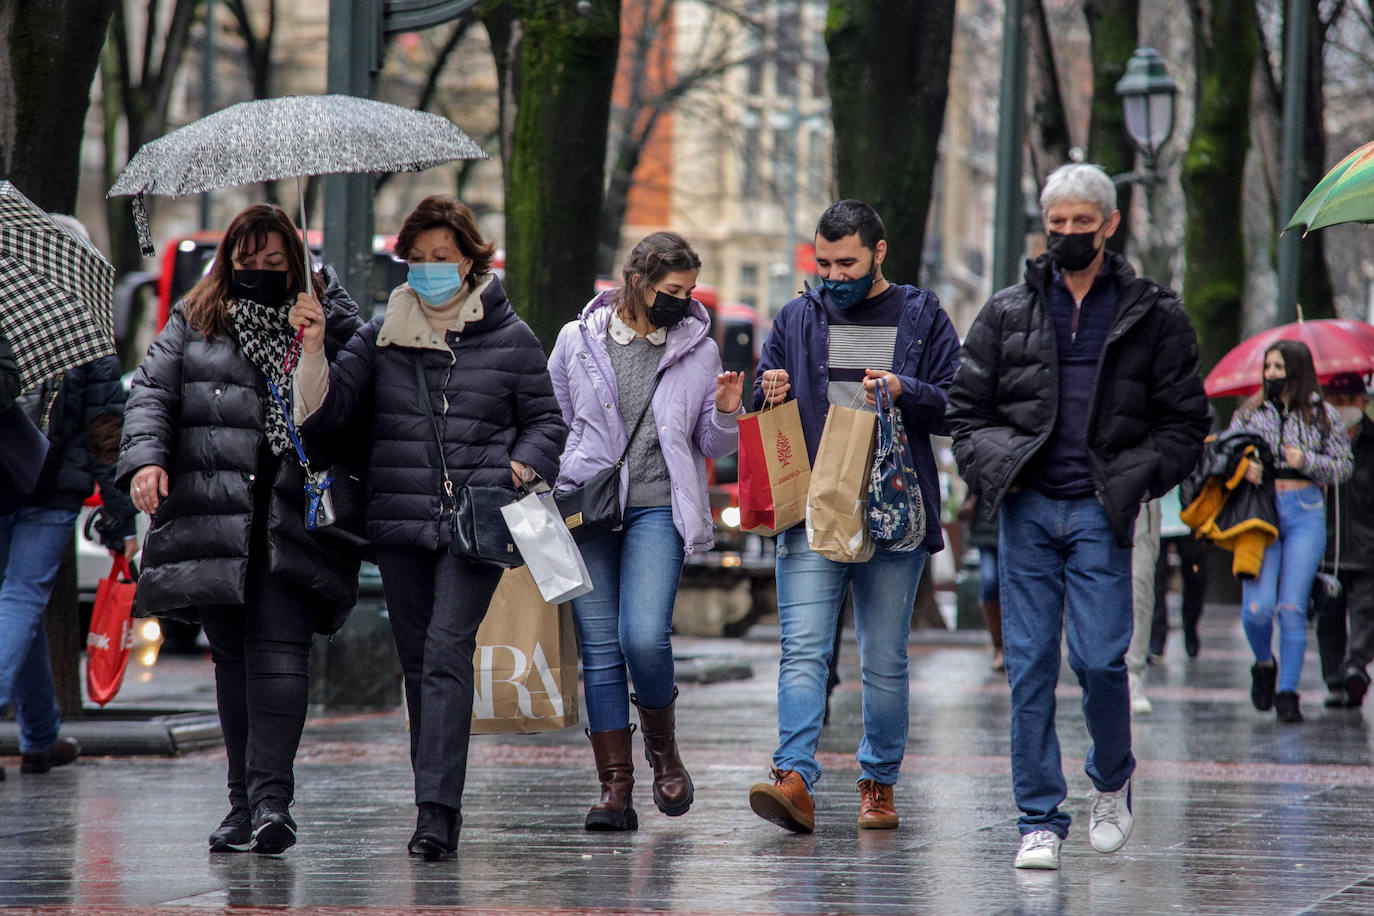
x=604, y=370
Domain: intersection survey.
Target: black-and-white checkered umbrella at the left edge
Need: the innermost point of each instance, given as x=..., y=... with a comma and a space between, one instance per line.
x=57, y=292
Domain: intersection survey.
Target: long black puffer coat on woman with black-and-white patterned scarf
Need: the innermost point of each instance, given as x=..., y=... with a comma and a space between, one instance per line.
x=197, y=411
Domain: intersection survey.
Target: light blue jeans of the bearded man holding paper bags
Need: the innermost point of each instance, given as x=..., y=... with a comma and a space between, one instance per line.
x=811, y=590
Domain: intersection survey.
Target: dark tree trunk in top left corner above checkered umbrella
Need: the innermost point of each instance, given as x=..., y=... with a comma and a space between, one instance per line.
x=46, y=76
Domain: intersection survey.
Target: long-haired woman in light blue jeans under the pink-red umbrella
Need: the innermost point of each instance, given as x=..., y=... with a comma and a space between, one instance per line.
x=1307, y=450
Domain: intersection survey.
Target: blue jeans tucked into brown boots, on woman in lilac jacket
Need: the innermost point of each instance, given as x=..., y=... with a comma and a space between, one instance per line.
x=627, y=620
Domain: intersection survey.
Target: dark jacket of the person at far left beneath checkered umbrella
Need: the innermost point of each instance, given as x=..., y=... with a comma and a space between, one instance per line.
x=71, y=472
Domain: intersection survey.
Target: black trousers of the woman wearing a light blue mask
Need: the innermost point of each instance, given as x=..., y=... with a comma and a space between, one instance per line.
x=436, y=602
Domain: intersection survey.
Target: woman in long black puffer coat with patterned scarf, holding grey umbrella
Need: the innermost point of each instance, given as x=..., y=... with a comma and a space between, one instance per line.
x=208, y=454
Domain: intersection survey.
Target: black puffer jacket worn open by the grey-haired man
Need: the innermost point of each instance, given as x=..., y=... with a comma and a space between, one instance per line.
x=1148, y=414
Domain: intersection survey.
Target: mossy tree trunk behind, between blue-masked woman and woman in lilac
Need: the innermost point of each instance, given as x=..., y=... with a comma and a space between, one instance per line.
x=559, y=159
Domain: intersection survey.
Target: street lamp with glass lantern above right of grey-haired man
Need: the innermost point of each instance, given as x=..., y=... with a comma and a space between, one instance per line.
x=1148, y=95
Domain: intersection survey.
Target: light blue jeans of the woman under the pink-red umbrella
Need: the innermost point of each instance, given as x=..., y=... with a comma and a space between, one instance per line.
x=1285, y=583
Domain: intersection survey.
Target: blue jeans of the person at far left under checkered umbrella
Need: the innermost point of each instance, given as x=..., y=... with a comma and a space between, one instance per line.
x=32, y=546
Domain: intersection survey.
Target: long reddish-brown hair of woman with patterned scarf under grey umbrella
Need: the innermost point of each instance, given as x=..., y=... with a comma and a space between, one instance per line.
x=207, y=304
